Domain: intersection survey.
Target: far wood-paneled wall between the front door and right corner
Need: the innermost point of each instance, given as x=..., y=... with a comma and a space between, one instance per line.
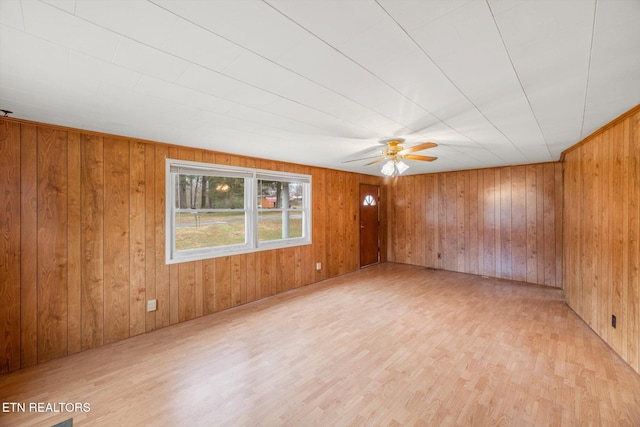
x=499, y=222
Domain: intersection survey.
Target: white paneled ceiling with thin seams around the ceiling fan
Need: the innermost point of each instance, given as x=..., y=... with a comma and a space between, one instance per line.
x=319, y=82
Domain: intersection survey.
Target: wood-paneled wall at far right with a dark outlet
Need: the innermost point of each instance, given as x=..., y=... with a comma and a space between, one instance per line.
x=602, y=233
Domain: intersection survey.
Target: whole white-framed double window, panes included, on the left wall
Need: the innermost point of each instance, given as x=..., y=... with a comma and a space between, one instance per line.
x=215, y=210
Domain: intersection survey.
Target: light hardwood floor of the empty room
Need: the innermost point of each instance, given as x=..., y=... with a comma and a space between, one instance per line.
x=388, y=345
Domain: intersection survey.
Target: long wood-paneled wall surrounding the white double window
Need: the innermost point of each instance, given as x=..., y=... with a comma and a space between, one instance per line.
x=82, y=242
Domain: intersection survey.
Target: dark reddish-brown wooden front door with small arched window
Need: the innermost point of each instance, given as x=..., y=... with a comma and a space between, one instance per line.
x=369, y=224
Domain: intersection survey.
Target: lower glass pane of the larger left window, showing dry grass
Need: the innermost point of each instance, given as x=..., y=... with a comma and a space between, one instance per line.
x=211, y=229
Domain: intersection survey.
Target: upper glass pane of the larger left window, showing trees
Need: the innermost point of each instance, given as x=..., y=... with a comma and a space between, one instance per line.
x=209, y=192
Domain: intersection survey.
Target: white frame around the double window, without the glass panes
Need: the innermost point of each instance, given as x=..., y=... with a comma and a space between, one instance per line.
x=251, y=176
